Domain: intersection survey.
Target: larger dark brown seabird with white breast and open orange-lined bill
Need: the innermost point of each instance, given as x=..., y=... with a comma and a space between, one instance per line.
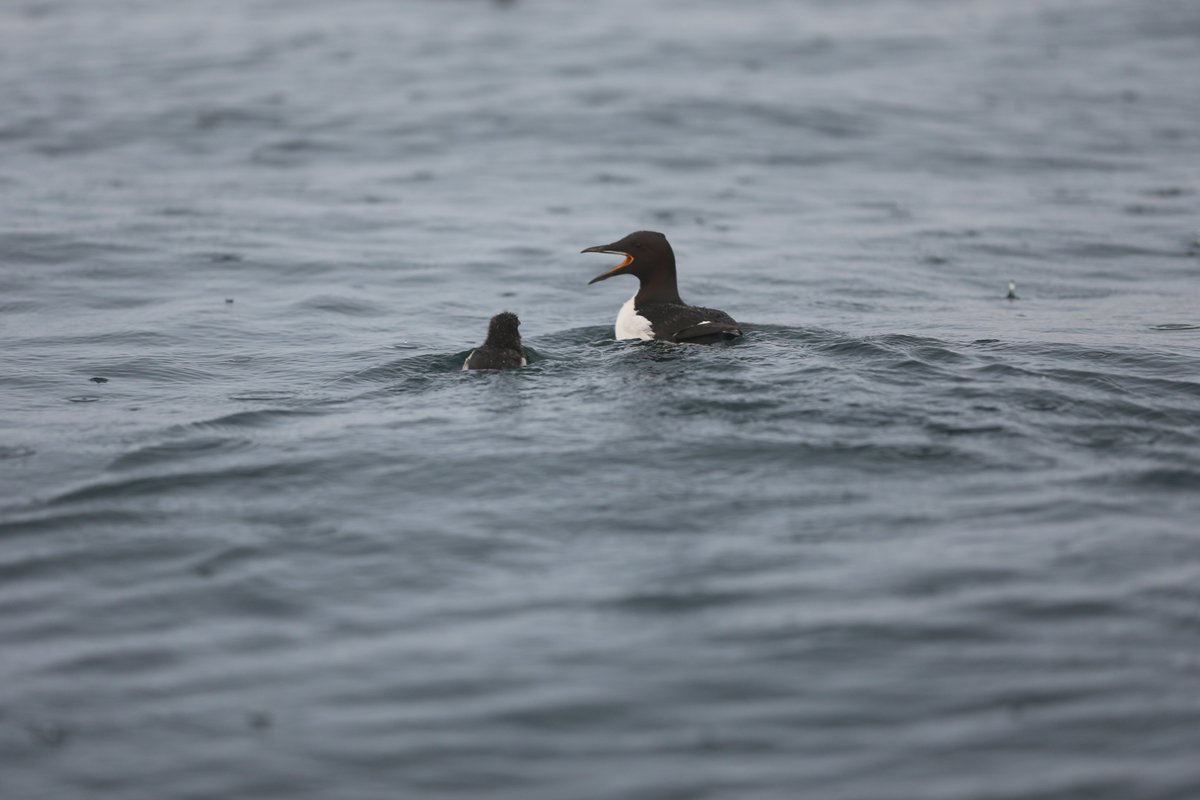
x=657, y=312
